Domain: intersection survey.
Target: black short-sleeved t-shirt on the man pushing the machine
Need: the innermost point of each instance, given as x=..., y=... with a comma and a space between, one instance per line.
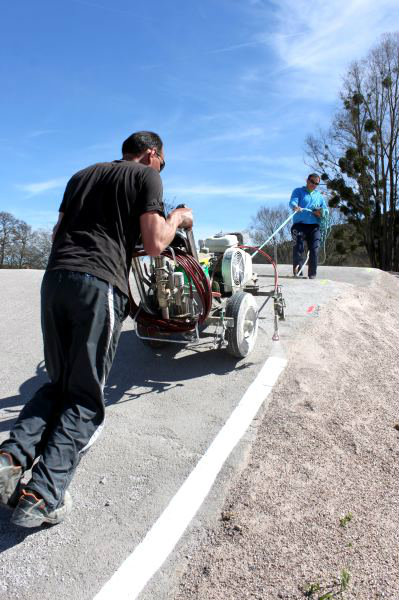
x=102, y=205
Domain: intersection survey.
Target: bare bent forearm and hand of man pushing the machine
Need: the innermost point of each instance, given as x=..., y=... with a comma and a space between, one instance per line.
x=158, y=232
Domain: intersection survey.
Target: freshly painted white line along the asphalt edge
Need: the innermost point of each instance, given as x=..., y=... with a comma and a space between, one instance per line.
x=135, y=572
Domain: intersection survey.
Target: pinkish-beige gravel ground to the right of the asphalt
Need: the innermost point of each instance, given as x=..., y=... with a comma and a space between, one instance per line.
x=314, y=511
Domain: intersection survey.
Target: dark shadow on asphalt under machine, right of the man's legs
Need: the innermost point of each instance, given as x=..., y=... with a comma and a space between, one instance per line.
x=137, y=366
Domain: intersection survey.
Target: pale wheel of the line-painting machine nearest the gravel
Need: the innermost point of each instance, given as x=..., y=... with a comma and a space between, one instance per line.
x=241, y=338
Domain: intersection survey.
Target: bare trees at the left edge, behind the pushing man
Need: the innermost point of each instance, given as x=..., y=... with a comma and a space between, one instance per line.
x=21, y=247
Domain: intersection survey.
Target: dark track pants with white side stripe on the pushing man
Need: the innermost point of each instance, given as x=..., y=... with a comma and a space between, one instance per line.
x=81, y=322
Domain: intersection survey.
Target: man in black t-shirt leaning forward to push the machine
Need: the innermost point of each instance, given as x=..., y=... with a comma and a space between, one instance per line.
x=84, y=300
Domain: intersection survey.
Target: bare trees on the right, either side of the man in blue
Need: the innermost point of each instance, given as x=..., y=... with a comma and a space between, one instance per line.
x=357, y=159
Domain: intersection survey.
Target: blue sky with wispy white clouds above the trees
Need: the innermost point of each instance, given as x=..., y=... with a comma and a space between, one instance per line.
x=232, y=86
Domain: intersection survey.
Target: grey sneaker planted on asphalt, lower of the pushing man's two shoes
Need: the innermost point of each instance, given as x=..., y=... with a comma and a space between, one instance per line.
x=31, y=510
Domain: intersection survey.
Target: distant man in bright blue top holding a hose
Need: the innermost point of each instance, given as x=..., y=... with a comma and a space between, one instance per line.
x=309, y=206
